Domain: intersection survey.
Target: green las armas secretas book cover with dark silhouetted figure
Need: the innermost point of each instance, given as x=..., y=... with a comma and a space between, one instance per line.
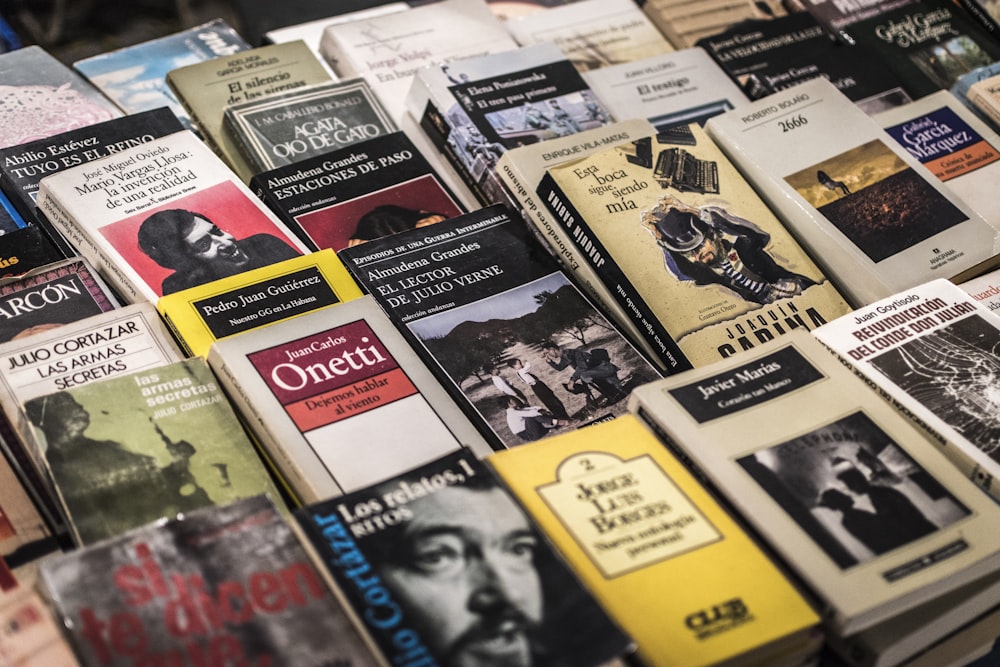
x=137, y=447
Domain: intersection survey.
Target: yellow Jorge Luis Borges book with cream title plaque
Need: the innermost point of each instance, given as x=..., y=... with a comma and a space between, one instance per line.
x=630, y=519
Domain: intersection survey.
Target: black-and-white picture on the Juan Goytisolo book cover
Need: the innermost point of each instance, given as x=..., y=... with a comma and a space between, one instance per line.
x=953, y=372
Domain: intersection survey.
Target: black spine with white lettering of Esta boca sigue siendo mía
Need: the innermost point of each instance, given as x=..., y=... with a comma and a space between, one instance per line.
x=593, y=252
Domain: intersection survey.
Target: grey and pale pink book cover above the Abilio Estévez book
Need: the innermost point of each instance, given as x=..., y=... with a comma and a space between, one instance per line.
x=41, y=96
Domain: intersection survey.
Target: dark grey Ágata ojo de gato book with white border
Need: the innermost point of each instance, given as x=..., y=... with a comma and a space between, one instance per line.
x=283, y=129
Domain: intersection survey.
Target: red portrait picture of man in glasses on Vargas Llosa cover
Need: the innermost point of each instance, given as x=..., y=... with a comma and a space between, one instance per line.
x=210, y=234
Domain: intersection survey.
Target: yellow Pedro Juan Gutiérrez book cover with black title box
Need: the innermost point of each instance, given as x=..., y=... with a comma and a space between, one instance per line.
x=201, y=315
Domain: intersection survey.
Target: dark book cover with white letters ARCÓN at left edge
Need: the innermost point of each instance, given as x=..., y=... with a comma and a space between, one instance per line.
x=51, y=296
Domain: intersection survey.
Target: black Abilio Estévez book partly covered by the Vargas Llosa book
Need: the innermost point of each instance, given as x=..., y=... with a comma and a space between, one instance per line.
x=23, y=166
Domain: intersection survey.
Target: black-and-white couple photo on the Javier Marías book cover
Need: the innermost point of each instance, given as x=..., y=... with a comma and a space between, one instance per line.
x=853, y=490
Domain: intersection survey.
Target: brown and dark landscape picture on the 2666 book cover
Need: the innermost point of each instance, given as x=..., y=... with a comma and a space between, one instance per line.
x=875, y=199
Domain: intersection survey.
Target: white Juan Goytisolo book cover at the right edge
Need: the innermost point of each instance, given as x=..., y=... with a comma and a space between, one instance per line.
x=934, y=350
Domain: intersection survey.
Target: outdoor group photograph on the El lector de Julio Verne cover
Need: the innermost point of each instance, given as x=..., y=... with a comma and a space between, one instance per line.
x=548, y=328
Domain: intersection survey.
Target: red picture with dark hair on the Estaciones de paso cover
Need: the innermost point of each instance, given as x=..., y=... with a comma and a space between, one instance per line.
x=419, y=202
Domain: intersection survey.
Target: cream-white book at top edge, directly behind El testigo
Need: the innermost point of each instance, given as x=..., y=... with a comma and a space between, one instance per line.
x=593, y=33
